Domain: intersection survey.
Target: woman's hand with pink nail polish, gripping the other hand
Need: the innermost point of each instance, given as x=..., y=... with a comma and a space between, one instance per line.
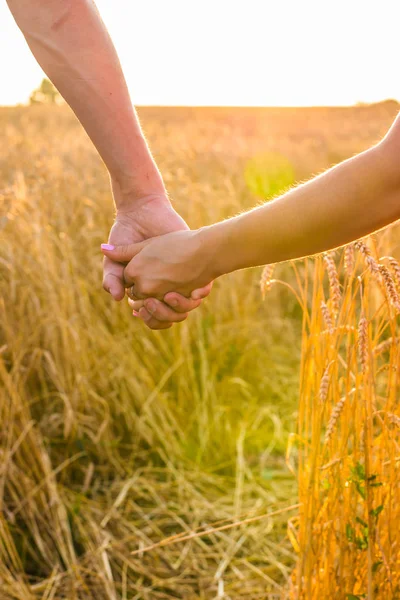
x=176, y=262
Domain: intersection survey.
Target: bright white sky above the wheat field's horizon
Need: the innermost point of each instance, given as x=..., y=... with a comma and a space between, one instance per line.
x=236, y=52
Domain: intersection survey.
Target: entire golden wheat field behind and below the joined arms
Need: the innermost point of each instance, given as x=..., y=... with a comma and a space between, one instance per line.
x=250, y=452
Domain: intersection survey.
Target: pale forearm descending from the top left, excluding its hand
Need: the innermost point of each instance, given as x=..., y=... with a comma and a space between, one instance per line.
x=72, y=45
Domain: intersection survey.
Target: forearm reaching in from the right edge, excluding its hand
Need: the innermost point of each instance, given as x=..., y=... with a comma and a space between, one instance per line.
x=354, y=199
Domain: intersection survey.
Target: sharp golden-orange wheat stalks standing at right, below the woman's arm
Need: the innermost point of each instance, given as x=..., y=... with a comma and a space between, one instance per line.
x=346, y=448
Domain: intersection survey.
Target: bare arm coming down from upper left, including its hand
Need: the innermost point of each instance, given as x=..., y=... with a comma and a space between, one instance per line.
x=72, y=45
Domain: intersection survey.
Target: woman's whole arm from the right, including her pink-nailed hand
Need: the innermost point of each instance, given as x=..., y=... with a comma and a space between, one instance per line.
x=349, y=201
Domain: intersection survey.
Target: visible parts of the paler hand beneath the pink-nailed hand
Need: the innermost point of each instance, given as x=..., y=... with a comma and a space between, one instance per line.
x=143, y=219
